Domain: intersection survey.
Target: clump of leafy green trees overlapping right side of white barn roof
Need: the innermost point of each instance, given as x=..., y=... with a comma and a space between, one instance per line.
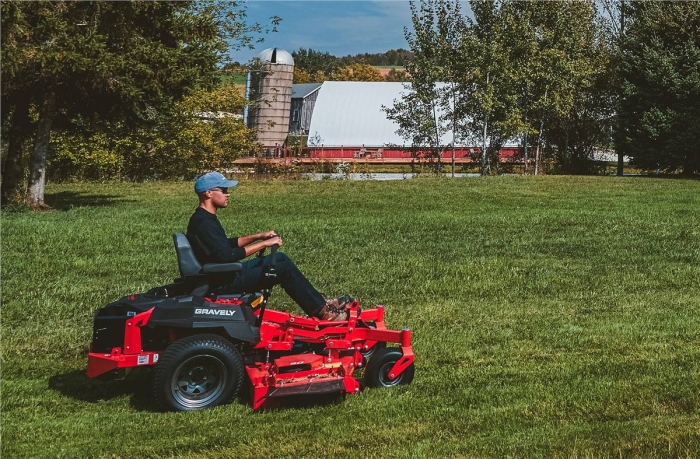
x=512, y=70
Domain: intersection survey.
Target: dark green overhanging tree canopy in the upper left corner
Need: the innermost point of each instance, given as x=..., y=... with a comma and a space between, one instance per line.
x=119, y=58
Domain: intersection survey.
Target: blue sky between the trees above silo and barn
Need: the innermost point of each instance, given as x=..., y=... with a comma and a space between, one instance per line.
x=339, y=27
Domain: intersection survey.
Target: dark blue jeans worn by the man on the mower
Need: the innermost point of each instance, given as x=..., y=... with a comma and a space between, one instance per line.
x=252, y=279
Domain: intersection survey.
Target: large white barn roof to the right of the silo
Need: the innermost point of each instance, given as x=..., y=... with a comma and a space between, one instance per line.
x=349, y=113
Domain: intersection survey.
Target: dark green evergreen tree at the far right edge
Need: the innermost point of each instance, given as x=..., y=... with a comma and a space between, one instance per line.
x=661, y=86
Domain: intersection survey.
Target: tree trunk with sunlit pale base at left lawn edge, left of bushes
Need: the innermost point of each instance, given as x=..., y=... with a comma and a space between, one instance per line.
x=37, y=171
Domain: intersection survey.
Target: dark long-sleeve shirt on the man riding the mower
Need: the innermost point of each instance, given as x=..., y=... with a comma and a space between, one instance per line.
x=209, y=240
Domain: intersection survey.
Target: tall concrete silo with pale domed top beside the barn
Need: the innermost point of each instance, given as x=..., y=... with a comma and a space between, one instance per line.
x=270, y=91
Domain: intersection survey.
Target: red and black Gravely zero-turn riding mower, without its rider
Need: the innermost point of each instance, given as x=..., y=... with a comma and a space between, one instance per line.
x=202, y=346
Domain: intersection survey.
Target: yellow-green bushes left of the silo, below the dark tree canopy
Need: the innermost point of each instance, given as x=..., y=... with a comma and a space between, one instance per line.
x=202, y=132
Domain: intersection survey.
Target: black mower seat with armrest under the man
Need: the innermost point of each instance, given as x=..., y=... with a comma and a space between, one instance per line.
x=194, y=274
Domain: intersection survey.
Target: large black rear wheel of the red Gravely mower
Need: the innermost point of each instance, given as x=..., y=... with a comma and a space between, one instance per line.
x=197, y=372
